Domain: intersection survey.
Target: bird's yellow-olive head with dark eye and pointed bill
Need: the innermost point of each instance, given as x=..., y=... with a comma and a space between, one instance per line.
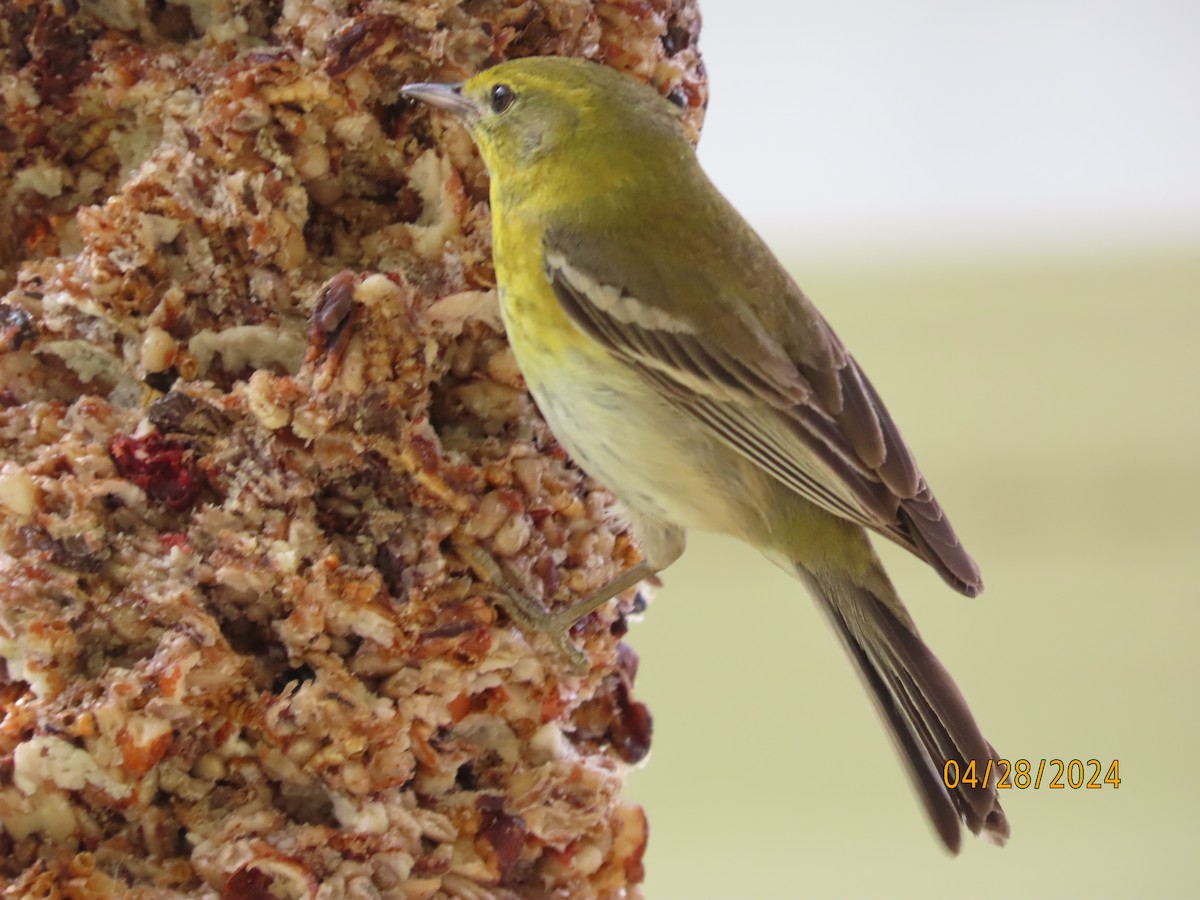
x=533, y=117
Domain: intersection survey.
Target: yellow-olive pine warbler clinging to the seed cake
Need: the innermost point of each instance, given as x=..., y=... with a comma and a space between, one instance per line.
x=679, y=364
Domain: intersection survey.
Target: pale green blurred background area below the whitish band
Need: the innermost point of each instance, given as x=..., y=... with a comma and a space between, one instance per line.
x=1053, y=406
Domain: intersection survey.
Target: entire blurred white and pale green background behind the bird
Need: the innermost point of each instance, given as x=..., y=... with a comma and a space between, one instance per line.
x=998, y=207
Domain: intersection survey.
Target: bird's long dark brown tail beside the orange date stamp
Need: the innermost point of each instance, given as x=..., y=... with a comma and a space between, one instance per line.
x=926, y=715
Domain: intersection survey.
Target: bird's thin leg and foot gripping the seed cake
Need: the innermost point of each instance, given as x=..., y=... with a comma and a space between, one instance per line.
x=532, y=616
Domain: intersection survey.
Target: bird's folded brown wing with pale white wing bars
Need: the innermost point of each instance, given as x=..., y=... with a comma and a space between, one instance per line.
x=778, y=387
